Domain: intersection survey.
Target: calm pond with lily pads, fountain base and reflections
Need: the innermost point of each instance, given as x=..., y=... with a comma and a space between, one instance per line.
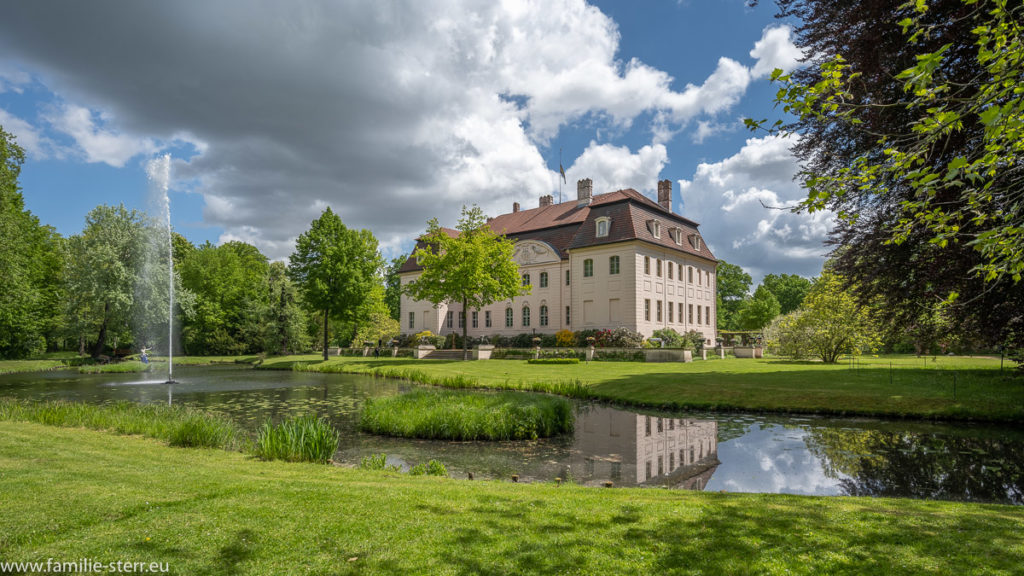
x=687, y=450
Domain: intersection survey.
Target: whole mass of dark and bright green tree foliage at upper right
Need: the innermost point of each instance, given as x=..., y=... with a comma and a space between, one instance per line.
x=912, y=121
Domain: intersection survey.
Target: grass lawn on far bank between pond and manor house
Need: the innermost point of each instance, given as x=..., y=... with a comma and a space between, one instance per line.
x=949, y=388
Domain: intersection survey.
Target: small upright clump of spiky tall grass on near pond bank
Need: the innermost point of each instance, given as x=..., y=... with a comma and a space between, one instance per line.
x=306, y=439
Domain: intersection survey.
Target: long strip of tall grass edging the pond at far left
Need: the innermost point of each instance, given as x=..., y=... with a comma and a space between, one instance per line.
x=179, y=426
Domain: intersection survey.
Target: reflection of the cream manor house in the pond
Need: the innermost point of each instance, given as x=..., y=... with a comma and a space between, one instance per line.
x=630, y=448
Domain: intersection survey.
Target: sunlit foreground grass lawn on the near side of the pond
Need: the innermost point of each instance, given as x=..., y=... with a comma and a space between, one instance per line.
x=211, y=512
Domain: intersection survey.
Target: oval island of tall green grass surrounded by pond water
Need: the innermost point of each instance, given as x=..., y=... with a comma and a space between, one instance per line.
x=453, y=416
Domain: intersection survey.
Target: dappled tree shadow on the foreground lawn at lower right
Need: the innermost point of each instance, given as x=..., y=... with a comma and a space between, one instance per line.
x=730, y=538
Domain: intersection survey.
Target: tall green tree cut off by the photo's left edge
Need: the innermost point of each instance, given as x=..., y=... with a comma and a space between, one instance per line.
x=30, y=266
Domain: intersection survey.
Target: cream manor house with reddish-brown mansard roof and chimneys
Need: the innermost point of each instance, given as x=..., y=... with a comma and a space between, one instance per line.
x=610, y=261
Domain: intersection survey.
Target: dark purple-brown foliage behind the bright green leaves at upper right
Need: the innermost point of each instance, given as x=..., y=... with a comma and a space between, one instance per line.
x=911, y=278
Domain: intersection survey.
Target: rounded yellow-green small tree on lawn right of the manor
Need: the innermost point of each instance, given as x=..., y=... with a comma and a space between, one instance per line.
x=830, y=324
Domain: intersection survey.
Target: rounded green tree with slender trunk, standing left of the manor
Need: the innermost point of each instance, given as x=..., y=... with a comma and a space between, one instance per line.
x=335, y=269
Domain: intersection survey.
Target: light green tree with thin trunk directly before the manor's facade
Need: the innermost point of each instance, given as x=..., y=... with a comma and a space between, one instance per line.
x=475, y=269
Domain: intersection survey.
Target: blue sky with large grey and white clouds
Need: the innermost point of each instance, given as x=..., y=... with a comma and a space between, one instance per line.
x=395, y=112
